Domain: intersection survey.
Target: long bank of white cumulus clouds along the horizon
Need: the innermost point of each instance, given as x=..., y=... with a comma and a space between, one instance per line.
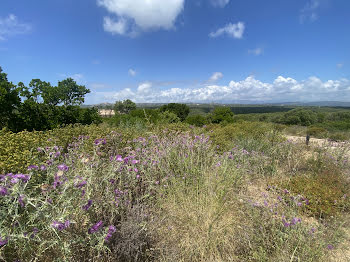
x=282, y=89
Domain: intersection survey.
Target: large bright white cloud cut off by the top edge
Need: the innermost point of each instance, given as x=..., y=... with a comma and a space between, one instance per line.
x=135, y=16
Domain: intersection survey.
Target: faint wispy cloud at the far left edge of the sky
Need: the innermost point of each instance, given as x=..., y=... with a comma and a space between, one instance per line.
x=10, y=26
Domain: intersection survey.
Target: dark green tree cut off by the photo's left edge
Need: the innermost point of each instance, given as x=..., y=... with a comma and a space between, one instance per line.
x=9, y=101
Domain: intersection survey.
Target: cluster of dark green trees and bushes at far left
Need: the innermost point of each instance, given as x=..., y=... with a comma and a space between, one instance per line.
x=42, y=106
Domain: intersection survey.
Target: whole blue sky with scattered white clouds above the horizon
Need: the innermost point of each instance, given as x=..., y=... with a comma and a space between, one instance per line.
x=182, y=50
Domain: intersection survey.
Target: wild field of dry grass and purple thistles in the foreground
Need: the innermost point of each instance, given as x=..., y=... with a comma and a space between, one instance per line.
x=173, y=192
